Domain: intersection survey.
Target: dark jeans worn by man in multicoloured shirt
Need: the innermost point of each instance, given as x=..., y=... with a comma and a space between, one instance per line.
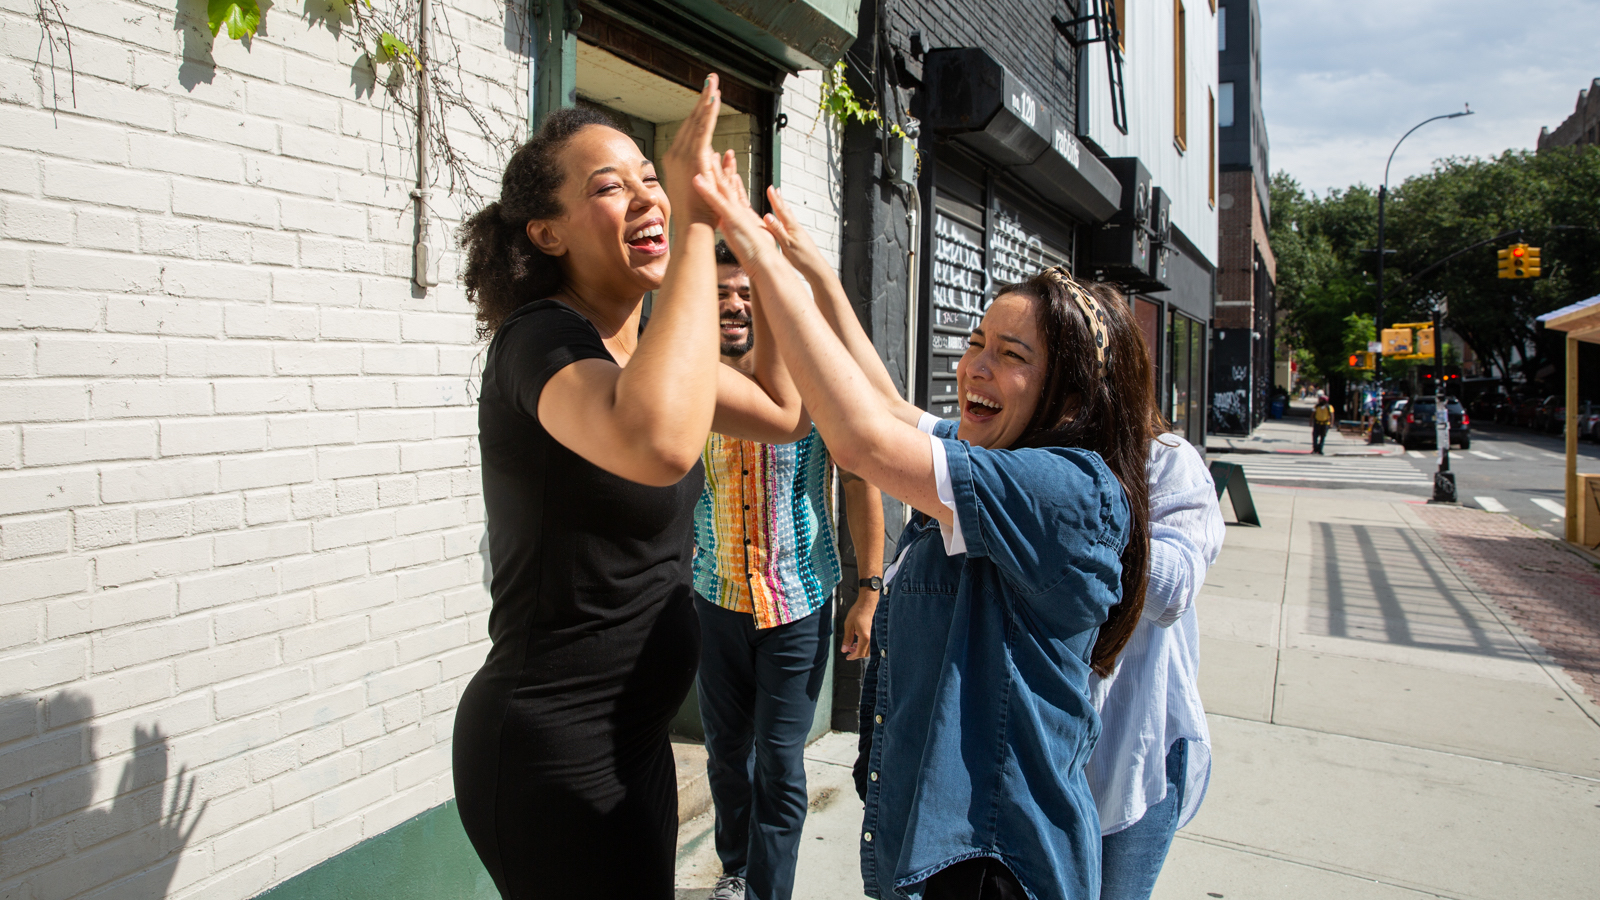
x=758, y=696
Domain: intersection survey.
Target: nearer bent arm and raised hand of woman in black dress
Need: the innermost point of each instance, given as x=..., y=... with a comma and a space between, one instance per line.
x=649, y=420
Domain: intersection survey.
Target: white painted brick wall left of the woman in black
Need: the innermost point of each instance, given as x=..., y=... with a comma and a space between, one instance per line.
x=241, y=584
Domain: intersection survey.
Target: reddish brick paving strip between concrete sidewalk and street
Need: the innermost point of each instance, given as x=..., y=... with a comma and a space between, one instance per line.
x=1548, y=590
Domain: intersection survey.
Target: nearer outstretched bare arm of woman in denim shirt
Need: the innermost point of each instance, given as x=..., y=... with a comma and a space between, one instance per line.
x=847, y=409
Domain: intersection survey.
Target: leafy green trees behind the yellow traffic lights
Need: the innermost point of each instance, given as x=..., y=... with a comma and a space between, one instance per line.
x=1327, y=268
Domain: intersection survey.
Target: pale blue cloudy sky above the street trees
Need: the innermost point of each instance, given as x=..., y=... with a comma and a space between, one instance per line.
x=1345, y=79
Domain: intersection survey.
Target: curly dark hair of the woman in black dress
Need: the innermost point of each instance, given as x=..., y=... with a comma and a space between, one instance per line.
x=505, y=270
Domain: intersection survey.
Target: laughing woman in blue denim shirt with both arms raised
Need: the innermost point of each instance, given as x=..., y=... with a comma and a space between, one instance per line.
x=1025, y=573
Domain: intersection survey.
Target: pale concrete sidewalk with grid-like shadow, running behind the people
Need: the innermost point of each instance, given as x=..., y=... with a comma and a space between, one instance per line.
x=1382, y=728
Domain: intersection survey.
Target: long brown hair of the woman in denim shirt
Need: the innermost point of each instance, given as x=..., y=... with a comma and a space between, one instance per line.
x=1108, y=409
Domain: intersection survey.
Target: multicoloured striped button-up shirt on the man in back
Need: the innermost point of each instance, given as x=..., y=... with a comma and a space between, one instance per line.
x=764, y=529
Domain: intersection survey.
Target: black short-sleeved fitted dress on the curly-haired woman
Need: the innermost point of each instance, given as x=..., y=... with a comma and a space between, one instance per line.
x=562, y=766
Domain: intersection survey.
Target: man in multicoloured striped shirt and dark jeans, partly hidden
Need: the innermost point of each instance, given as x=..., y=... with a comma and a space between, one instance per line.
x=766, y=566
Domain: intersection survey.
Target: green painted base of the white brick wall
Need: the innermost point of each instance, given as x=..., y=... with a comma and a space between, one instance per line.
x=422, y=859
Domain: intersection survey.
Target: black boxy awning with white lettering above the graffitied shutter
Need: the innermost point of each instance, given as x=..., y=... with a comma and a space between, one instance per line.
x=972, y=98
